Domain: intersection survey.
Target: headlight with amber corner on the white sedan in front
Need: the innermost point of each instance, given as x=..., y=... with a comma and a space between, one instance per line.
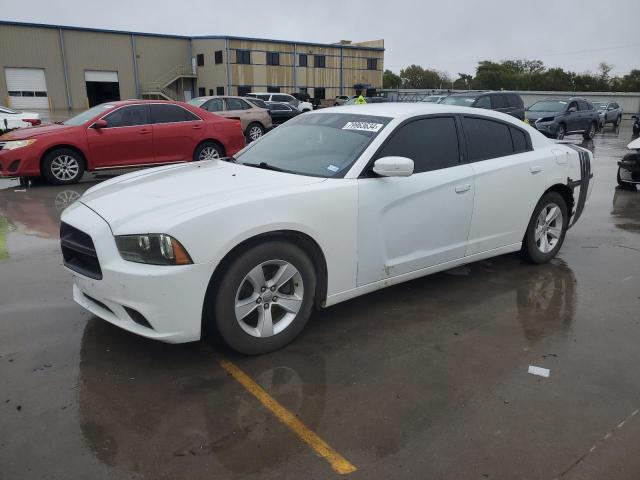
x=153, y=249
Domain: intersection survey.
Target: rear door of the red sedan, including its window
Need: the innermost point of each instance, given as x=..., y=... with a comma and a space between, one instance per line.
x=176, y=132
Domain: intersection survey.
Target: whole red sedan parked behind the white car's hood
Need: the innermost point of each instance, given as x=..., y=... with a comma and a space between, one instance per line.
x=130, y=133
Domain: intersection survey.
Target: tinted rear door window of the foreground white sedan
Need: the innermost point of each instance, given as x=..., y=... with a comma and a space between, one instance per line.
x=487, y=138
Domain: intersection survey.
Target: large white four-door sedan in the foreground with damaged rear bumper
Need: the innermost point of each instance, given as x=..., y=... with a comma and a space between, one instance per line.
x=332, y=205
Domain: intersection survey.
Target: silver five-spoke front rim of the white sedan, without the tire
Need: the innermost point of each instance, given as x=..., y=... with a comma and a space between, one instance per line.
x=269, y=298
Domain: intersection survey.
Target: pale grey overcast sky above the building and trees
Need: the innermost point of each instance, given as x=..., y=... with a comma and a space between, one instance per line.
x=448, y=36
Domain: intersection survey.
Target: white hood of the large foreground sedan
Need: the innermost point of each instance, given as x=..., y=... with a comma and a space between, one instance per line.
x=160, y=197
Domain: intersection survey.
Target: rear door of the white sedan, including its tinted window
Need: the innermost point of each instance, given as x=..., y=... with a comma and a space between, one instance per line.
x=509, y=179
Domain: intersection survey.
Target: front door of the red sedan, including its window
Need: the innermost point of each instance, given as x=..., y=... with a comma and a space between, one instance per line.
x=127, y=139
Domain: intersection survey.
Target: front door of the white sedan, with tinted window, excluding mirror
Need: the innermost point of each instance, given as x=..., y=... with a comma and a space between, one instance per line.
x=410, y=223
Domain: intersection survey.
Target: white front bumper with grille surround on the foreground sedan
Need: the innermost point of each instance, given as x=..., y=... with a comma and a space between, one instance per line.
x=169, y=298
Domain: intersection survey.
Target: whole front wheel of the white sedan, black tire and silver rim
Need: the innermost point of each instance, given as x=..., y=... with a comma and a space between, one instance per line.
x=241, y=321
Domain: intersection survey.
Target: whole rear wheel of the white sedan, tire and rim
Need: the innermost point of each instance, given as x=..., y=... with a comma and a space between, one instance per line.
x=543, y=250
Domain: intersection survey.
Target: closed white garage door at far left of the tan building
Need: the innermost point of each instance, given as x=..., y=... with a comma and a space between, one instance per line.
x=27, y=88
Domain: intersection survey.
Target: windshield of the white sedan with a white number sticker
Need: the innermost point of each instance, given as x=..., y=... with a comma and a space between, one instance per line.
x=321, y=145
